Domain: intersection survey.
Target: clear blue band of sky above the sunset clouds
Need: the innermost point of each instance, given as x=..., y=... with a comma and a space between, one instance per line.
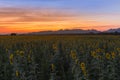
x=110, y=6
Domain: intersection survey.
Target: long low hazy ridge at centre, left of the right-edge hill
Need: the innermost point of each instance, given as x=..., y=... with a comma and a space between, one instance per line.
x=74, y=31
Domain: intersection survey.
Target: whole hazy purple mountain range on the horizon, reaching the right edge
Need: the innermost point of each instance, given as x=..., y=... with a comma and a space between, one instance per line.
x=75, y=31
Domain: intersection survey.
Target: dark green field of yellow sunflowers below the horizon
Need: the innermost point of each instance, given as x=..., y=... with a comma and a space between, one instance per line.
x=67, y=57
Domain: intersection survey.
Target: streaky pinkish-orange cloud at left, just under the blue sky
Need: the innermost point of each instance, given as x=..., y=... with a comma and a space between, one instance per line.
x=34, y=15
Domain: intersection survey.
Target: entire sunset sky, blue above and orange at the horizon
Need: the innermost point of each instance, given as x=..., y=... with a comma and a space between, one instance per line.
x=22, y=16
